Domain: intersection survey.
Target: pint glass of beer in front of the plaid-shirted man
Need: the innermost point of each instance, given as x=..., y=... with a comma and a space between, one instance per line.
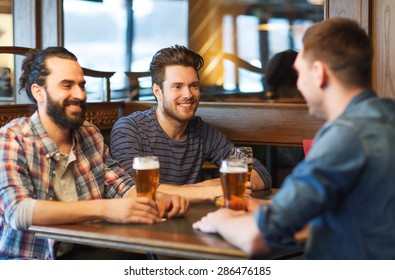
x=146, y=175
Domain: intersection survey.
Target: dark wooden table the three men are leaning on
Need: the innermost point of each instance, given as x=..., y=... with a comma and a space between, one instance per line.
x=174, y=237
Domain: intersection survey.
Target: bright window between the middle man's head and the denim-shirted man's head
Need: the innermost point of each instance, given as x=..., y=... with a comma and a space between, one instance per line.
x=260, y=31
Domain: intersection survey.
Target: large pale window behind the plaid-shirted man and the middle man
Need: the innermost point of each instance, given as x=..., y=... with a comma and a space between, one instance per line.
x=97, y=33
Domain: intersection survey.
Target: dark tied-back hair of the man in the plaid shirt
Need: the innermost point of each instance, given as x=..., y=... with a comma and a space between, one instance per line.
x=35, y=70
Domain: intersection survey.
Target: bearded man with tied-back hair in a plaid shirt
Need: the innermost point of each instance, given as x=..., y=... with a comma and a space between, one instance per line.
x=56, y=169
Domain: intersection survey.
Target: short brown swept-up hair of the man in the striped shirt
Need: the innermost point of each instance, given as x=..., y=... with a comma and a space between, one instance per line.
x=175, y=55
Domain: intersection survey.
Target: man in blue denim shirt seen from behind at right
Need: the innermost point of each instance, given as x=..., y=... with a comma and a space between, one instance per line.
x=344, y=190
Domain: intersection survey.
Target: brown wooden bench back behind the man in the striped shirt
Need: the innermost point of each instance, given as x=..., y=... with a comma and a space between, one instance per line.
x=271, y=128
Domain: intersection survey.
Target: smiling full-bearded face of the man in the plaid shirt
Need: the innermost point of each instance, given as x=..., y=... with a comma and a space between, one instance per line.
x=65, y=96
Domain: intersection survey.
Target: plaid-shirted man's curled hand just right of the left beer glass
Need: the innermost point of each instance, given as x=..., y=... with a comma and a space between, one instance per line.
x=170, y=206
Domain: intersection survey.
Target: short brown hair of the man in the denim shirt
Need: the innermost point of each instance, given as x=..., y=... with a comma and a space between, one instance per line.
x=344, y=46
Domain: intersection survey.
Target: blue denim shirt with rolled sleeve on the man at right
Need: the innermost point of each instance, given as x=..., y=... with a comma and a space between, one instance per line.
x=344, y=189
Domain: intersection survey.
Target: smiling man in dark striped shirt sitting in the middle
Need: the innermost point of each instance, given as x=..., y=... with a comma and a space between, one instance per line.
x=172, y=132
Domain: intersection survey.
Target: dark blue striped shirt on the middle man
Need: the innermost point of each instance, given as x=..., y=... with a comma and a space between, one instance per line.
x=140, y=134
